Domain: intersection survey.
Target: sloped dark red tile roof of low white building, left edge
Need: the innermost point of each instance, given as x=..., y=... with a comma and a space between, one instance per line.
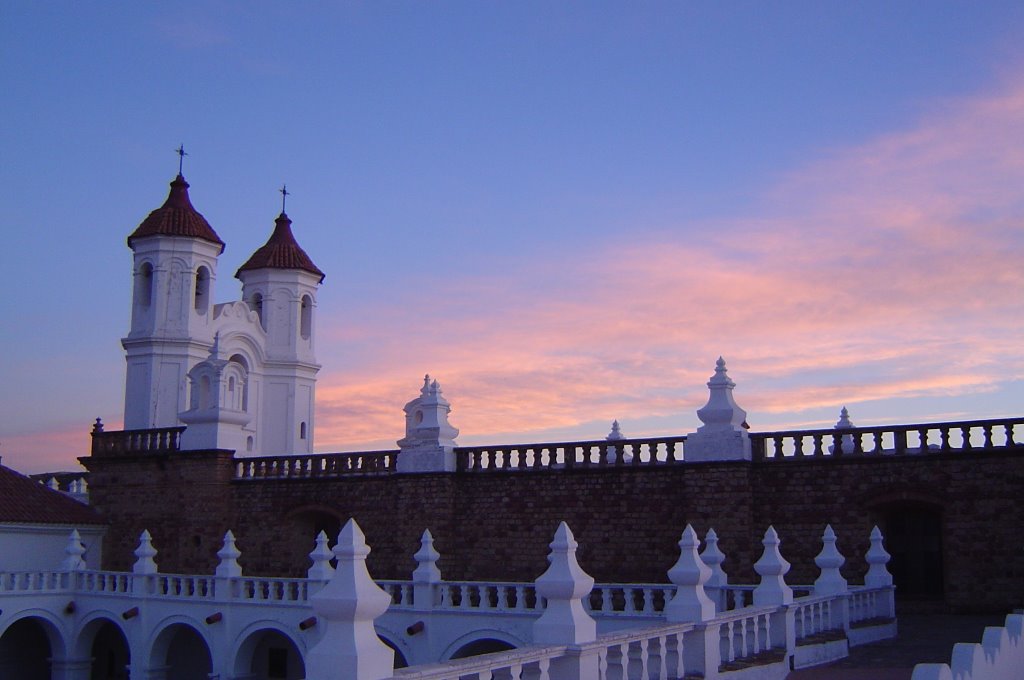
x=25, y=501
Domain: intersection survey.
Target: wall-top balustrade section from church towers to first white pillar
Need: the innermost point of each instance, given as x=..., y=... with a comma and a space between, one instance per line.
x=316, y=465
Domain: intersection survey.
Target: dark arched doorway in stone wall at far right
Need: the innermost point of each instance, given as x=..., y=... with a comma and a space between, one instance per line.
x=914, y=538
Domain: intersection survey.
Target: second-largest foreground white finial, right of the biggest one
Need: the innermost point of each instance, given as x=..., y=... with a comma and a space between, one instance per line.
x=565, y=585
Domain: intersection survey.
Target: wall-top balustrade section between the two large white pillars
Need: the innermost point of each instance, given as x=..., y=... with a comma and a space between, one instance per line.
x=570, y=455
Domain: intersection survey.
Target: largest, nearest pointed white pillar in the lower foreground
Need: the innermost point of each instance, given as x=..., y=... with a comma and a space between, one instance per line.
x=349, y=605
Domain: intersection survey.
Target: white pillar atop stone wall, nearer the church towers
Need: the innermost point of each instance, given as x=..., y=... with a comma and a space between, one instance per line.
x=430, y=442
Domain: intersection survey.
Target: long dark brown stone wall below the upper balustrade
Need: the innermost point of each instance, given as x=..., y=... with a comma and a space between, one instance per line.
x=496, y=526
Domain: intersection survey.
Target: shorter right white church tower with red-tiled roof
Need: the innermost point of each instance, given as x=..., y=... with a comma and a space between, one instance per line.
x=280, y=283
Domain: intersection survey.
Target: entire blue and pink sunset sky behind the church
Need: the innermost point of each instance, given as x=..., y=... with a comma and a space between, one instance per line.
x=564, y=211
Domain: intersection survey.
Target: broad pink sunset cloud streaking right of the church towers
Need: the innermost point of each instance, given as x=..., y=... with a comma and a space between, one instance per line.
x=885, y=272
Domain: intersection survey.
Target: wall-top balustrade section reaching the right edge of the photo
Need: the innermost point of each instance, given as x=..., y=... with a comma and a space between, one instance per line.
x=920, y=439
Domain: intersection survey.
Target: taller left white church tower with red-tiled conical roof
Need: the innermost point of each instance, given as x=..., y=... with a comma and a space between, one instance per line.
x=175, y=270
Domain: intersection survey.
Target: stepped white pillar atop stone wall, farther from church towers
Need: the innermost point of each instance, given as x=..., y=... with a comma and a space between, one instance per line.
x=723, y=436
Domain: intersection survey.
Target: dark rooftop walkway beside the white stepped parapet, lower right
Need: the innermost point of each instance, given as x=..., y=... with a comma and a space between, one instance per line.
x=922, y=640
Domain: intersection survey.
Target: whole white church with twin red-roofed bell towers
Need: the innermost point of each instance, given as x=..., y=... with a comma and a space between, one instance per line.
x=239, y=375
